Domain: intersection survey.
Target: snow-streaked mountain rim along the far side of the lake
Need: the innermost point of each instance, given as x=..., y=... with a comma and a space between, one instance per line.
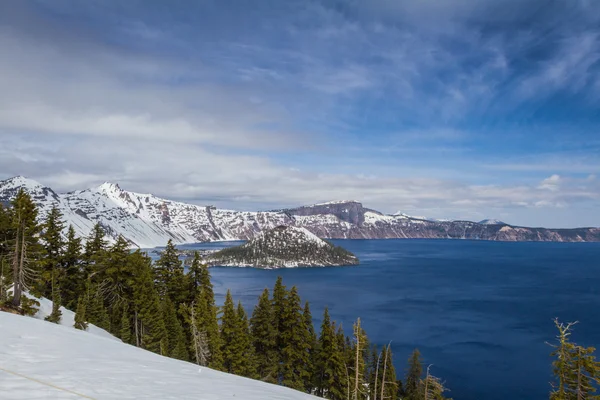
x=148, y=221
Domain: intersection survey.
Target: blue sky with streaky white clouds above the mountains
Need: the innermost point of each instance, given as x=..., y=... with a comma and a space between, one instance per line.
x=446, y=109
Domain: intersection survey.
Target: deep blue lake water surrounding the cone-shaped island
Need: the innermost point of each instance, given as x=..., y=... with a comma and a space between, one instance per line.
x=480, y=312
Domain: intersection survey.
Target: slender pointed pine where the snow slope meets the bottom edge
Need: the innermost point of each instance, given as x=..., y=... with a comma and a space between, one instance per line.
x=330, y=367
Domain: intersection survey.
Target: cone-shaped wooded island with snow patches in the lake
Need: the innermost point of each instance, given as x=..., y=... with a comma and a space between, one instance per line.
x=283, y=247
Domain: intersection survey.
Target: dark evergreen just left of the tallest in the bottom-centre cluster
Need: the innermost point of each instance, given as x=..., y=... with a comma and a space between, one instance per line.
x=264, y=338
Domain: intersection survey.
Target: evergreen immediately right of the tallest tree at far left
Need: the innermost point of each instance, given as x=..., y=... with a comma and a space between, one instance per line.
x=51, y=269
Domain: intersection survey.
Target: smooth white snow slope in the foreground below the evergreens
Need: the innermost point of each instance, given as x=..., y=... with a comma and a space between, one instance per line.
x=41, y=360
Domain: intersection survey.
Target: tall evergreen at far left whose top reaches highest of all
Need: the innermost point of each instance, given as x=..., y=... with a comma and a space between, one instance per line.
x=25, y=248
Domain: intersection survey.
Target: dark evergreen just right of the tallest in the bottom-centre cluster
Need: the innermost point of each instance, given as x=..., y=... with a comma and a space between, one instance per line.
x=295, y=353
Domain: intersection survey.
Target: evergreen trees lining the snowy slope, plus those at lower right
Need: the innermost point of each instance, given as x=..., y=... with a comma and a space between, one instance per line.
x=163, y=308
